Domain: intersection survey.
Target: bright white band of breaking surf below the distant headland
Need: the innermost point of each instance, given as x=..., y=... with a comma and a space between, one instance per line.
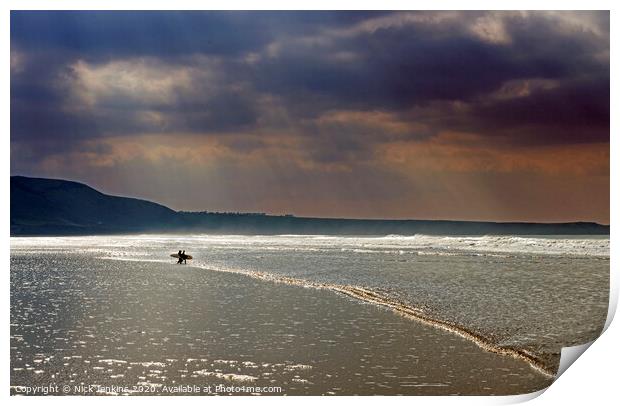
x=558, y=245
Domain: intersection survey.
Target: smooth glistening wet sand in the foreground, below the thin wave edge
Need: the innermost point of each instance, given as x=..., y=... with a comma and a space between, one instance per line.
x=77, y=319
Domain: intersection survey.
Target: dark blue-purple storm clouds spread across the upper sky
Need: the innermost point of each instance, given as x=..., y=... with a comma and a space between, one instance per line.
x=313, y=63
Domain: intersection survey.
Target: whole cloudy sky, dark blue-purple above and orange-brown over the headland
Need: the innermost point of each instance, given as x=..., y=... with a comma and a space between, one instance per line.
x=498, y=116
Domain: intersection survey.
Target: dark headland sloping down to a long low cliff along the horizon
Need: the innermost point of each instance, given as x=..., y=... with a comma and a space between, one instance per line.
x=58, y=207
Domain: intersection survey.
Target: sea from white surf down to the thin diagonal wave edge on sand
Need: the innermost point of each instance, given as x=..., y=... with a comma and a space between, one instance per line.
x=531, y=294
